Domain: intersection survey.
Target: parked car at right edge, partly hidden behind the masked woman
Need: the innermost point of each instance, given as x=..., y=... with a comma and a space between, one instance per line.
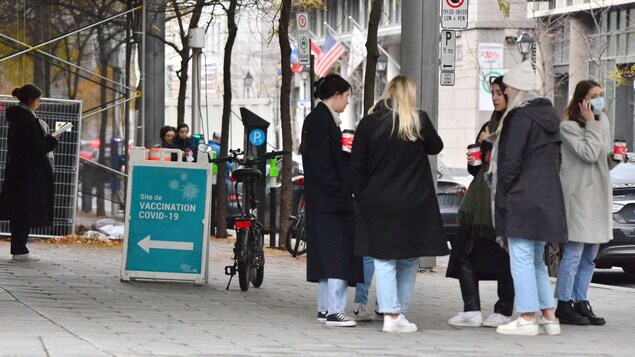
x=619, y=252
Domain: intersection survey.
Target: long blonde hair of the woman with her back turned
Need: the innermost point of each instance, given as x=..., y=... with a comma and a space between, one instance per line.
x=400, y=97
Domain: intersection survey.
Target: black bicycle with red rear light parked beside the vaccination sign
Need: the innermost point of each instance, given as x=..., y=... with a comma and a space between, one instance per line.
x=249, y=256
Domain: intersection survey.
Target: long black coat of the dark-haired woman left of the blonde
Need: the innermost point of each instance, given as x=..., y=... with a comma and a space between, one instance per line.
x=328, y=202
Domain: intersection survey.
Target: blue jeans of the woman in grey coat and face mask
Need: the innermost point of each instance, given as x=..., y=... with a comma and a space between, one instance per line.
x=576, y=271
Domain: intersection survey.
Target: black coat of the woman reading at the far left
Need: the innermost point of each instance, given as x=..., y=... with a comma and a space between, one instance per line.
x=28, y=189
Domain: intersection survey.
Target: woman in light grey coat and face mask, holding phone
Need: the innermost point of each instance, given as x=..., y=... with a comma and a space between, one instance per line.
x=586, y=161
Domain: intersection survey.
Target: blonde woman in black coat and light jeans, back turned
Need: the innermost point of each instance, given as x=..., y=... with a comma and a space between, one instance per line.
x=397, y=213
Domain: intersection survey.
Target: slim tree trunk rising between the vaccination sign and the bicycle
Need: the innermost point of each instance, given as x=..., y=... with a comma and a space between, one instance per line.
x=221, y=187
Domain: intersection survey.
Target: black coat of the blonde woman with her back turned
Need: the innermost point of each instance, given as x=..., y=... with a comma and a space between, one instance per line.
x=397, y=213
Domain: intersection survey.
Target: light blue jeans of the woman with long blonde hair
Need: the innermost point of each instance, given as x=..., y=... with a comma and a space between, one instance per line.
x=395, y=282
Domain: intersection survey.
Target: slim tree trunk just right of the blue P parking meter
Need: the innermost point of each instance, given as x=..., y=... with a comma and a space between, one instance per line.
x=285, y=117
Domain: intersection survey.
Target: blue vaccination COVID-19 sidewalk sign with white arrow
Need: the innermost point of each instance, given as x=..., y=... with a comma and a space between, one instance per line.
x=166, y=219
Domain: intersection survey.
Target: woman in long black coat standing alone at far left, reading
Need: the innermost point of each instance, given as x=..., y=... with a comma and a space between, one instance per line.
x=27, y=193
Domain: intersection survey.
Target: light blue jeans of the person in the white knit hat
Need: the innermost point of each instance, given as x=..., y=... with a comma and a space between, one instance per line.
x=532, y=287
